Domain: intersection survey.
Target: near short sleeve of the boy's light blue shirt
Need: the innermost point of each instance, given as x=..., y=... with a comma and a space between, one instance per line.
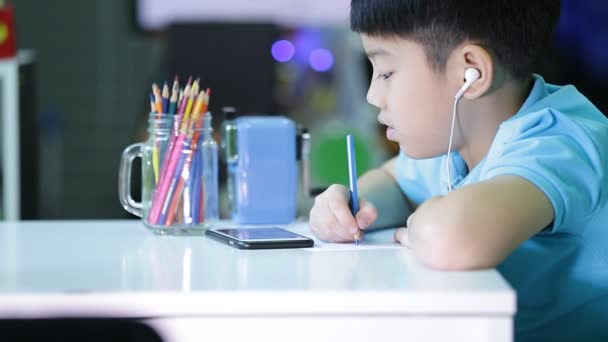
x=563, y=158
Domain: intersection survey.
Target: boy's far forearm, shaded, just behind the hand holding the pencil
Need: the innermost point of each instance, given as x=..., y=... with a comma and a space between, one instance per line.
x=379, y=186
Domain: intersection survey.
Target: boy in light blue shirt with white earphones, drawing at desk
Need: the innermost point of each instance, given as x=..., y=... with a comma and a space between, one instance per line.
x=527, y=164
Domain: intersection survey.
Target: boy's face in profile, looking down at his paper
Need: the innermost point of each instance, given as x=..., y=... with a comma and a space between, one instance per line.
x=415, y=102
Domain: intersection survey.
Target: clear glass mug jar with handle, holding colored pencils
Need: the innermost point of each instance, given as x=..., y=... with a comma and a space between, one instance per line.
x=179, y=193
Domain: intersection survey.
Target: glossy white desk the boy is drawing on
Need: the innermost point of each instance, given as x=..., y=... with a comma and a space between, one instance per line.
x=194, y=288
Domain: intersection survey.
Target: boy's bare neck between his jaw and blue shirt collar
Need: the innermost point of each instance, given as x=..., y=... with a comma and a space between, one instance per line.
x=479, y=119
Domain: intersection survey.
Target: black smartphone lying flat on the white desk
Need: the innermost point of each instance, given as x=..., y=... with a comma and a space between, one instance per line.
x=259, y=238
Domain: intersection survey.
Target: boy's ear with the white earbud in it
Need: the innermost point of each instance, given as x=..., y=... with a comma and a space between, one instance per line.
x=475, y=56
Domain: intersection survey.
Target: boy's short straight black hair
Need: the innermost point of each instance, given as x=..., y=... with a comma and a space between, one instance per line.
x=514, y=31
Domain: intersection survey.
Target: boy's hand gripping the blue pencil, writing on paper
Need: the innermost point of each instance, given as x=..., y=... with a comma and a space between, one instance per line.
x=331, y=219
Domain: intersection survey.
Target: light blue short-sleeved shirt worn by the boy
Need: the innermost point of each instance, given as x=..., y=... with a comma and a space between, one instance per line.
x=559, y=141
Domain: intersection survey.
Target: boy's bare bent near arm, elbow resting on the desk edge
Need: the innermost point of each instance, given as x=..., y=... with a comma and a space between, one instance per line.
x=479, y=225
